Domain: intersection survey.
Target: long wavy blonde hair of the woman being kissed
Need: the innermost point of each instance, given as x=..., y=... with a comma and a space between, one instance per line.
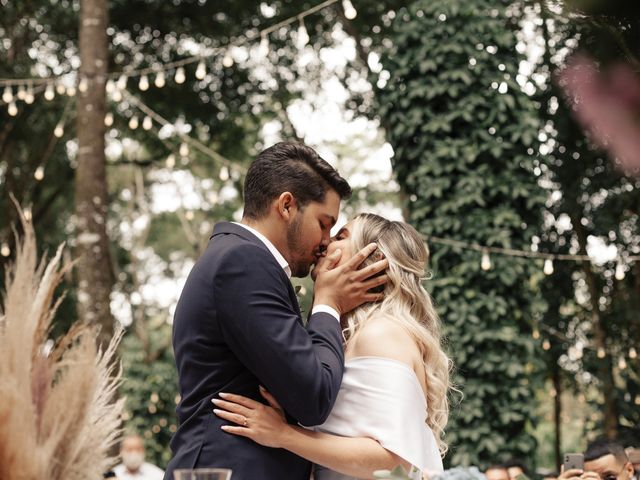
x=407, y=303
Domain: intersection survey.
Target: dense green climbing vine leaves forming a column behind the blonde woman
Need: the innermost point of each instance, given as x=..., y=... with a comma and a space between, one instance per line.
x=465, y=142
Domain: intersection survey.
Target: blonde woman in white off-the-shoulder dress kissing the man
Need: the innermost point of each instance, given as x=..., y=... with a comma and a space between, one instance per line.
x=392, y=406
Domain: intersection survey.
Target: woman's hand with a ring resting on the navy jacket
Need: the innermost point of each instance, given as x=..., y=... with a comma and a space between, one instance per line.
x=263, y=424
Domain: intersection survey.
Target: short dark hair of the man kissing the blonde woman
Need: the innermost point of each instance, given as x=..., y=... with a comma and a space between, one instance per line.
x=289, y=167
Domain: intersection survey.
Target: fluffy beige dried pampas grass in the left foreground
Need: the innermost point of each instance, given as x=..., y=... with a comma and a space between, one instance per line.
x=58, y=417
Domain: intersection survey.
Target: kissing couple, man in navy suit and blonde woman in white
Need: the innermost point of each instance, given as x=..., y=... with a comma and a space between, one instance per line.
x=362, y=386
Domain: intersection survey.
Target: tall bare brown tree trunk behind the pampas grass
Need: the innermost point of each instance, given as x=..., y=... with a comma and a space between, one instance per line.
x=94, y=269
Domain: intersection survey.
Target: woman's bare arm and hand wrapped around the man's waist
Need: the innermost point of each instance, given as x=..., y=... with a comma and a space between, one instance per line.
x=356, y=457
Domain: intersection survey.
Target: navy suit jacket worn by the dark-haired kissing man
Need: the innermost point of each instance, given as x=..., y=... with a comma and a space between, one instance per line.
x=237, y=326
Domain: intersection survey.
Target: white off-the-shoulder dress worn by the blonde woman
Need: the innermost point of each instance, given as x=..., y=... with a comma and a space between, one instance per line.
x=381, y=398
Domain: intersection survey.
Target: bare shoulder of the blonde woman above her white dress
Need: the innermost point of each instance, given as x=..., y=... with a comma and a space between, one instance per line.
x=383, y=337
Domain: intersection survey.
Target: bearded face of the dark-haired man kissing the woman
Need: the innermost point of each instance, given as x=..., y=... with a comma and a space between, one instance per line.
x=308, y=233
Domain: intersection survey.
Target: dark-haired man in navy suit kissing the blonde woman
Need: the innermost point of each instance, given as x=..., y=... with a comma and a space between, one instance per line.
x=238, y=326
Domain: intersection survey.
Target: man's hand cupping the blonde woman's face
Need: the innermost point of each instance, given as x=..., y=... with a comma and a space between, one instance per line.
x=346, y=287
